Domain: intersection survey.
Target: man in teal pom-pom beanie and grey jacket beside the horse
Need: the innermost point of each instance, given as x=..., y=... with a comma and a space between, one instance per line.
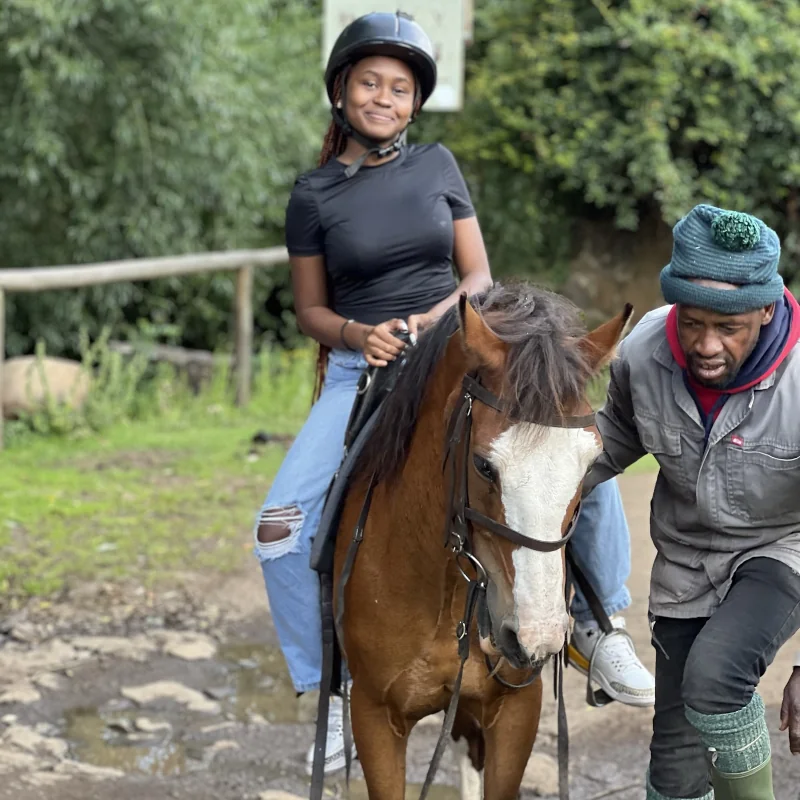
x=710, y=385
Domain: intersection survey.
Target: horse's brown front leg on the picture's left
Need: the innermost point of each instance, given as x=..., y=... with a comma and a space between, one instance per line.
x=381, y=747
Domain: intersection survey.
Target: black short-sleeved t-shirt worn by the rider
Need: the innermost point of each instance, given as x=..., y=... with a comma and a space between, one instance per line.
x=386, y=233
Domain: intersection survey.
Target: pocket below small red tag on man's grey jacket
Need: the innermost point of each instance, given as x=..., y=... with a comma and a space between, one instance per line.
x=762, y=486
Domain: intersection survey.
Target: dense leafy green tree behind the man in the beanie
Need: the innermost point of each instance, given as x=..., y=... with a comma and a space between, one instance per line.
x=619, y=109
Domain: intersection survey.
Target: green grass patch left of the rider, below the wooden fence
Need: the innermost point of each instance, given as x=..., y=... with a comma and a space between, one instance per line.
x=148, y=498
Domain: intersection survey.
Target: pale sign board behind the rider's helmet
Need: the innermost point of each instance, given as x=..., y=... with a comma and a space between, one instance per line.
x=445, y=21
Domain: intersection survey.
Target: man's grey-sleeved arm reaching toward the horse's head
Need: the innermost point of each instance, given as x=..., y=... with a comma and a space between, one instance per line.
x=621, y=444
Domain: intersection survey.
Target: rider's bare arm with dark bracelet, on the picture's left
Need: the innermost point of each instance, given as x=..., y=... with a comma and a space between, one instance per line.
x=317, y=320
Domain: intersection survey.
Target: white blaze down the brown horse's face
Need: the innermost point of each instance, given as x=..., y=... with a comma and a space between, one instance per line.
x=540, y=469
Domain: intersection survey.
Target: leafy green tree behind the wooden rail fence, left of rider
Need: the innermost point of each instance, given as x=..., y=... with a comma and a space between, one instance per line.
x=150, y=127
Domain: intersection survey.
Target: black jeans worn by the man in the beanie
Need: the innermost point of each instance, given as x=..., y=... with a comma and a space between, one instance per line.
x=714, y=667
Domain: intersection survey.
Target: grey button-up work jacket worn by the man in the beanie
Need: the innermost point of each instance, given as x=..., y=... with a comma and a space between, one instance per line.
x=714, y=507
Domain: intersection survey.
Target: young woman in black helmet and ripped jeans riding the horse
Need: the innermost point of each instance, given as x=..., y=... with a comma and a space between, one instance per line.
x=374, y=235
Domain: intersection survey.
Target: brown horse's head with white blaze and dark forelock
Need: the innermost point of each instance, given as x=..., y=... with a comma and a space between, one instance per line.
x=525, y=466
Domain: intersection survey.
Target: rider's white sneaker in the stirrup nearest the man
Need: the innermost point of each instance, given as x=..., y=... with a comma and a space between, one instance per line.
x=616, y=667
